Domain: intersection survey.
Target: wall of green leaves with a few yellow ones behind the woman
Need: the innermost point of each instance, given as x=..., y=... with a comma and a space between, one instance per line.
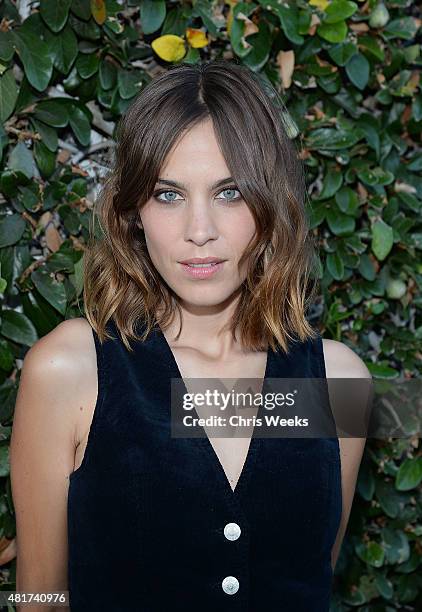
x=349, y=73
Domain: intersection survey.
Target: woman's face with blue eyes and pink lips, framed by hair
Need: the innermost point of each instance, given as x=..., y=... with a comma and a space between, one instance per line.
x=202, y=216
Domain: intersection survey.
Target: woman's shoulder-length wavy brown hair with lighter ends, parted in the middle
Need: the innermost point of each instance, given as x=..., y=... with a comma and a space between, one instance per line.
x=249, y=119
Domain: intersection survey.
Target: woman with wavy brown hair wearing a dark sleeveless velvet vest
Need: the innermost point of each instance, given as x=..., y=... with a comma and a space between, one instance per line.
x=108, y=503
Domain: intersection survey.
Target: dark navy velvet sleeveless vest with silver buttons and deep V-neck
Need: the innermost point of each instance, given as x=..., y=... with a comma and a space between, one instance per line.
x=148, y=512
